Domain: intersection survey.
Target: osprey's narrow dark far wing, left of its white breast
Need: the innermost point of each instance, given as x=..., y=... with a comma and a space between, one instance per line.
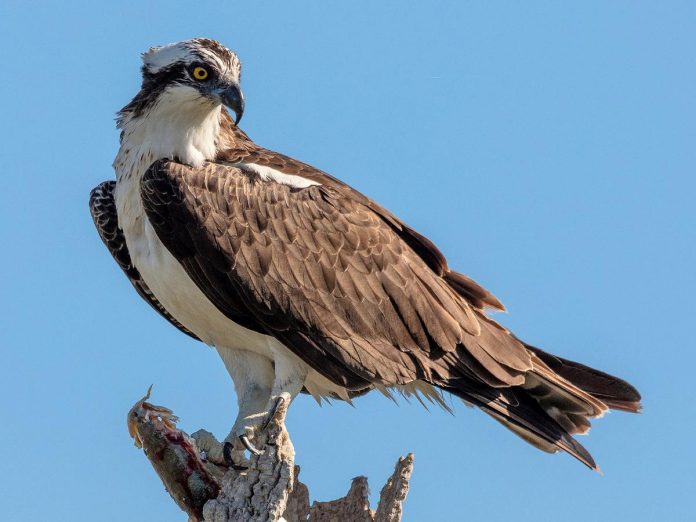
x=103, y=210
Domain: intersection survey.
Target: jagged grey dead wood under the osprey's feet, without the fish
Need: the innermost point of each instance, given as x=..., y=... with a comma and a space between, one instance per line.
x=270, y=491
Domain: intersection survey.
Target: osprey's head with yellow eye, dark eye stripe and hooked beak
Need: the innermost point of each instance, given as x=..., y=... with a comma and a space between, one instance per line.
x=193, y=74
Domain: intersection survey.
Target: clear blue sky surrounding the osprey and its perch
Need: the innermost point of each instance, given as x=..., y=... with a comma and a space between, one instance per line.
x=548, y=149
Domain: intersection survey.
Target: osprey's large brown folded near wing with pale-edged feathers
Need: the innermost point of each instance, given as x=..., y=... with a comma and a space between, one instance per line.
x=327, y=275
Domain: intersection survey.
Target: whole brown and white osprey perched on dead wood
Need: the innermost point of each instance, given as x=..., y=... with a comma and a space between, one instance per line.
x=300, y=282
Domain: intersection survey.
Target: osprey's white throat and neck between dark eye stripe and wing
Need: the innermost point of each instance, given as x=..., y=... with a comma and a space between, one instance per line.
x=179, y=125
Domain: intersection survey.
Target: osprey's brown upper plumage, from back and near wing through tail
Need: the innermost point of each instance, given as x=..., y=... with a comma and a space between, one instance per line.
x=358, y=295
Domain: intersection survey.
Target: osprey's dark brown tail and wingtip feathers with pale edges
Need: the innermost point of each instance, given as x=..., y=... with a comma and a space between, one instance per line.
x=556, y=401
